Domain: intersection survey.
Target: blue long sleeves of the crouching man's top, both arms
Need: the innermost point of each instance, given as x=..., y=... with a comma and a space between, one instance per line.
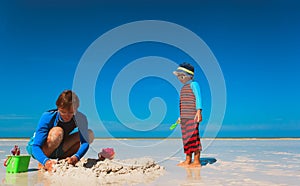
x=49, y=120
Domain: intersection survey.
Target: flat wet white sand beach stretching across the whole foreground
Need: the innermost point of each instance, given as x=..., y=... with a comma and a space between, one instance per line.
x=153, y=162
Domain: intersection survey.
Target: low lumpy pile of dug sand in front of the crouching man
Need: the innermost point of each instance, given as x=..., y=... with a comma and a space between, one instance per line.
x=141, y=170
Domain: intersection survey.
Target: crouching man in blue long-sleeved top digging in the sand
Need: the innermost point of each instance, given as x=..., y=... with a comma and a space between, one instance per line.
x=55, y=138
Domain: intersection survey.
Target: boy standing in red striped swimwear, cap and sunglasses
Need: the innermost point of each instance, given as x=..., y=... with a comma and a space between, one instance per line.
x=190, y=114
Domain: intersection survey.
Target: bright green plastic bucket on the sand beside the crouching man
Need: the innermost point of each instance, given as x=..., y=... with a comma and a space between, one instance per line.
x=16, y=164
